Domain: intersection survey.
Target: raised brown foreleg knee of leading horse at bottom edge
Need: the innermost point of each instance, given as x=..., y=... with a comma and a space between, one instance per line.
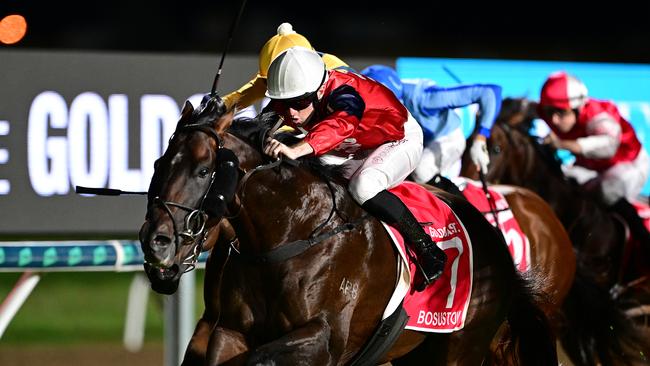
x=226, y=347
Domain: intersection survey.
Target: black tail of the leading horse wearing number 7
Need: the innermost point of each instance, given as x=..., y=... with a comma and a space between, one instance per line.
x=531, y=340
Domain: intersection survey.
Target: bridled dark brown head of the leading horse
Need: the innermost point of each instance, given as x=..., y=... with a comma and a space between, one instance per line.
x=184, y=196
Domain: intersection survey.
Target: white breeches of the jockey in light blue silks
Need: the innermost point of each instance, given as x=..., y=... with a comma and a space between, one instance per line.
x=441, y=155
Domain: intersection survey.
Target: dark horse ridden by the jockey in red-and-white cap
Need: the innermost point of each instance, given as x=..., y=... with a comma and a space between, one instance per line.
x=596, y=329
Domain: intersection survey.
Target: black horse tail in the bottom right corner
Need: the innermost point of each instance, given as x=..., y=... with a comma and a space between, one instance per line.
x=597, y=331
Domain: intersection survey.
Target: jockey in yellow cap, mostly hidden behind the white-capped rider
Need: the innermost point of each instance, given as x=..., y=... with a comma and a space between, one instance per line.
x=286, y=37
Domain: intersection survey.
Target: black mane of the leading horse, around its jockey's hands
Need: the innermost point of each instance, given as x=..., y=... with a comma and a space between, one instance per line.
x=254, y=132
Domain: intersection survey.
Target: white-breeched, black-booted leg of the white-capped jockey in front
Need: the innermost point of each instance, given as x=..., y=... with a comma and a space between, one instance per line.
x=385, y=168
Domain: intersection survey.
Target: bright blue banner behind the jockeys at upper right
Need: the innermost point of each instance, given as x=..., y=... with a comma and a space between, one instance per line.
x=628, y=85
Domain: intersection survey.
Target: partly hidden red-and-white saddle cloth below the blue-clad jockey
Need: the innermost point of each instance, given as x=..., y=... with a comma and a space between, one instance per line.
x=518, y=243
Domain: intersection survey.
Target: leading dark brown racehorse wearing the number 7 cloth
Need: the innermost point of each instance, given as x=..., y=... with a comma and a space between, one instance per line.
x=272, y=304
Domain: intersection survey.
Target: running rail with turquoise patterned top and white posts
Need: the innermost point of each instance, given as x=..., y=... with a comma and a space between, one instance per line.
x=34, y=257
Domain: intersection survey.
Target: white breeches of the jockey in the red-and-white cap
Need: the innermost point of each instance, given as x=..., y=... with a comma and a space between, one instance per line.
x=623, y=180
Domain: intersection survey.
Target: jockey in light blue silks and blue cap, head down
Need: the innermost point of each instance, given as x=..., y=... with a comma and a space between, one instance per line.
x=432, y=105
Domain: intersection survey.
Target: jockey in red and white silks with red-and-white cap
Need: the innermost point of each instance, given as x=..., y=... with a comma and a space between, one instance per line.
x=608, y=153
